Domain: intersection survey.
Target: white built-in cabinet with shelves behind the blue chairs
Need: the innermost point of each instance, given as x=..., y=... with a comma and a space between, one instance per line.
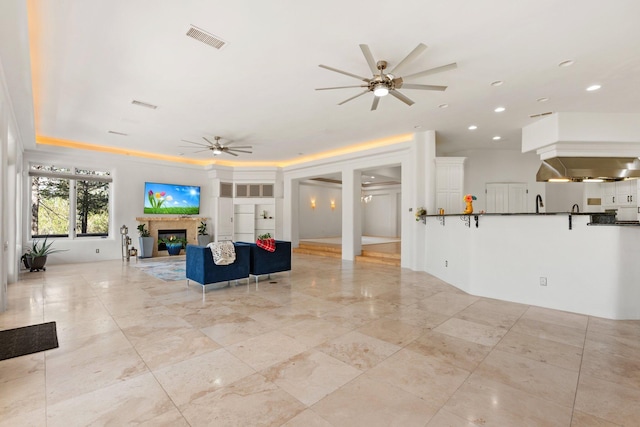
x=252, y=220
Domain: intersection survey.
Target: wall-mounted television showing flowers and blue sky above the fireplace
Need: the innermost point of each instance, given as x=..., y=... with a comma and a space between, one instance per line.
x=171, y=199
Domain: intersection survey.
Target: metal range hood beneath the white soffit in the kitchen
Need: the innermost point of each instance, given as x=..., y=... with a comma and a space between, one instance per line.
x=578, y=169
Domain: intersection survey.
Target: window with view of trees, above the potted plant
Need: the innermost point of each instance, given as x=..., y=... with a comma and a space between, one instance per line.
x=69, y=201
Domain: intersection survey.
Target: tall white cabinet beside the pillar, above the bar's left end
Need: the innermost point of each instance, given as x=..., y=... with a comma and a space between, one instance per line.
x=449, y=182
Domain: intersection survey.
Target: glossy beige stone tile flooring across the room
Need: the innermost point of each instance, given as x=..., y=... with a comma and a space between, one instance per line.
x=332, y=344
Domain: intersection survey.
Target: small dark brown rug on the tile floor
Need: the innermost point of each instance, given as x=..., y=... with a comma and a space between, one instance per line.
x=28, y=339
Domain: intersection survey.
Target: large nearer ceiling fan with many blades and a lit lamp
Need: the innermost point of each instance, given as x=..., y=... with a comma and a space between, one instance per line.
x=386, y=82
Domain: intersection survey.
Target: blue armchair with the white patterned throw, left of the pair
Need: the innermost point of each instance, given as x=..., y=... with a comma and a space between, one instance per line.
x=201, y=268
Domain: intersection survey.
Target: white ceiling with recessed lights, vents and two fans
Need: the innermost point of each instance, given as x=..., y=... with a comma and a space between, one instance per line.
x=92, y=58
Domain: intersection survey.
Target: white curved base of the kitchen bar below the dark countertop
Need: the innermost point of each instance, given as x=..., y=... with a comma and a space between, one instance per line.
x=537, y=259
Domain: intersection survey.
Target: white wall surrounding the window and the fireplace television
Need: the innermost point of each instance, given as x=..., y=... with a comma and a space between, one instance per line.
x=127, y=198
